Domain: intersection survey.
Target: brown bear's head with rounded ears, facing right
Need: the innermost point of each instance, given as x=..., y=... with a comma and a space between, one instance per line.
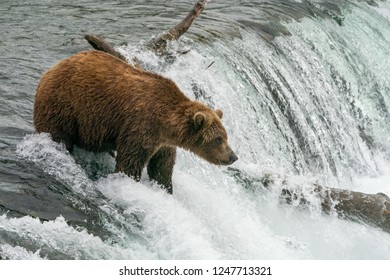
x=210, y=138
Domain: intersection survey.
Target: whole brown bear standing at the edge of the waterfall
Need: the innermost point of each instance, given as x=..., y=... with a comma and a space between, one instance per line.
x=100, y=103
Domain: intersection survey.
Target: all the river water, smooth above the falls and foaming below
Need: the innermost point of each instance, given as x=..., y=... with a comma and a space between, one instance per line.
x=305, y=90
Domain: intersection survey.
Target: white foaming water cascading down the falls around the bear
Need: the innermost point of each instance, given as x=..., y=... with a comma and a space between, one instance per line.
x=313, y=107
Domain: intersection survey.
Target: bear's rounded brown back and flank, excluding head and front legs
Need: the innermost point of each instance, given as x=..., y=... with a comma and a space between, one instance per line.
x=86, y=98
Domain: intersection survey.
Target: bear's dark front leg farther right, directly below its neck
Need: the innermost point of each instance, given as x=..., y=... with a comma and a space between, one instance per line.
x=160, y=167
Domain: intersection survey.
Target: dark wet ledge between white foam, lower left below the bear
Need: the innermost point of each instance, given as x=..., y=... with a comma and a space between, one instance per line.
x=27, y=190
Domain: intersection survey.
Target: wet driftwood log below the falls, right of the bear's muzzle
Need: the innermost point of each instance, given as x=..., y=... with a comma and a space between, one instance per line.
x=370, y=209
